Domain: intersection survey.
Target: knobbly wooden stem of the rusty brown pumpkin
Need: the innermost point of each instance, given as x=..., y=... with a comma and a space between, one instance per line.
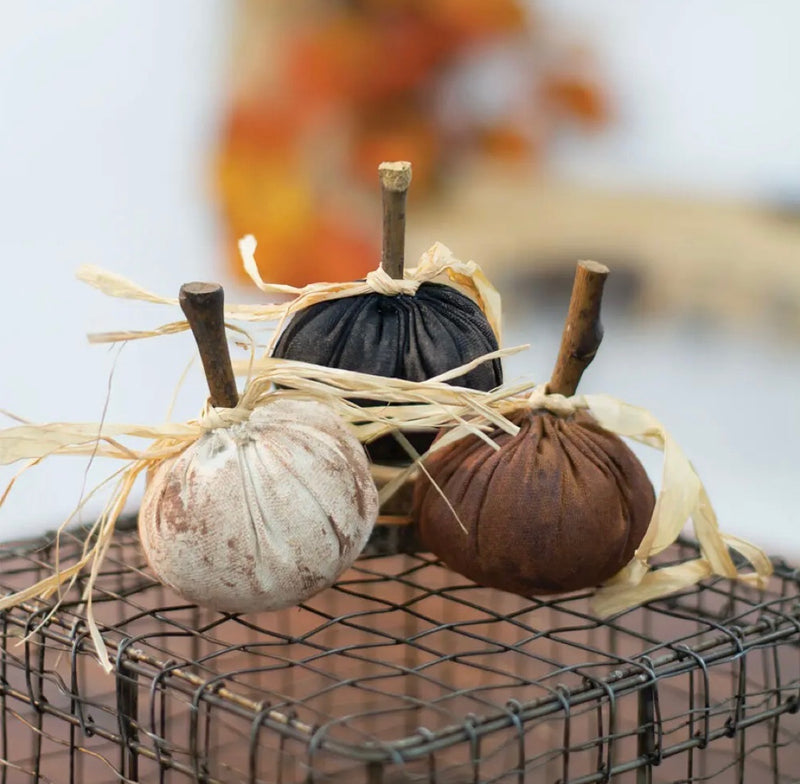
x=583, y=331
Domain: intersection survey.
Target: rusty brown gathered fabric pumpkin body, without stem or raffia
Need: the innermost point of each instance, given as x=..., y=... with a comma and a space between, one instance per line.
x=560, y=507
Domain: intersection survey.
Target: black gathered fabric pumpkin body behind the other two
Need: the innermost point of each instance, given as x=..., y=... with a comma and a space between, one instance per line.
x=414, y=337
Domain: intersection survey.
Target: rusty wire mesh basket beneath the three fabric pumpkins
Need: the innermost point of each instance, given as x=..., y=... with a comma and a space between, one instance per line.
x=403, y=672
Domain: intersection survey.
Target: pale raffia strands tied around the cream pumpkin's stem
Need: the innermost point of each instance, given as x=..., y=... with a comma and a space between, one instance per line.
x=435, y=404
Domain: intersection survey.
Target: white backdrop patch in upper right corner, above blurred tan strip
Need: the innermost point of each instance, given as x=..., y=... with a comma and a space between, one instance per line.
x=705, y=94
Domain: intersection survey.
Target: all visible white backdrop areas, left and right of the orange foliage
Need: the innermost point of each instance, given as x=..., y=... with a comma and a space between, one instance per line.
x=107, y=115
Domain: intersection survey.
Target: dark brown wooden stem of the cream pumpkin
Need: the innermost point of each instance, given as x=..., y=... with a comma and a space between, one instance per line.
x=203, y=305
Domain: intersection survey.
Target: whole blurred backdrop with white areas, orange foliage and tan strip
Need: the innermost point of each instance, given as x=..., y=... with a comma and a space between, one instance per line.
x=659, y=138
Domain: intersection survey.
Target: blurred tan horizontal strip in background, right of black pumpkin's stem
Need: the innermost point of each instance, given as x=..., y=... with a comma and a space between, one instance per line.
x=726, y=260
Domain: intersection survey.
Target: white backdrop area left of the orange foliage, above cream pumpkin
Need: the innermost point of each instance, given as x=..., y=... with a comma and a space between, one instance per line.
x=107, y=114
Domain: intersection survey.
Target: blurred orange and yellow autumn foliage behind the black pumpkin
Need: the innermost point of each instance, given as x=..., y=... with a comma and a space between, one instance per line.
x=352, y=84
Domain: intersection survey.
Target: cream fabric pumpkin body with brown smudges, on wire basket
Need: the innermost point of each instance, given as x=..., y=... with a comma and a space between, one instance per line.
x=263, y=514
